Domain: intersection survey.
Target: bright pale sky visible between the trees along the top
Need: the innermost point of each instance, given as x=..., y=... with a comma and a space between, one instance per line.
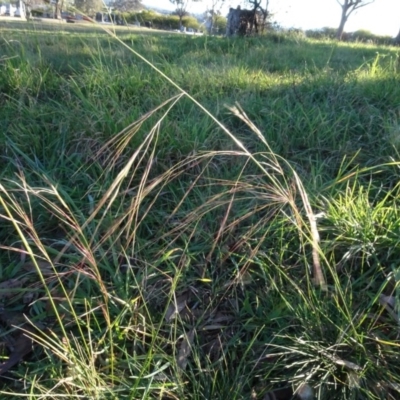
x=381, y=17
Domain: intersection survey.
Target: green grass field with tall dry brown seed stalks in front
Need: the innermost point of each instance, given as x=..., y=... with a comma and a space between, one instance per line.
x=168, y=252
